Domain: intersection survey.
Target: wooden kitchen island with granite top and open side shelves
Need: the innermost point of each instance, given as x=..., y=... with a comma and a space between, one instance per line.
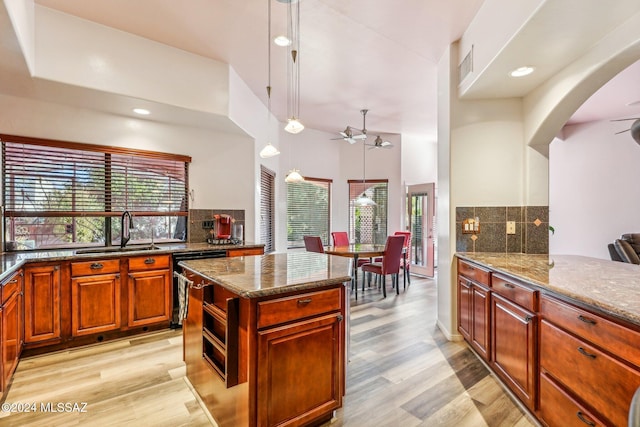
x=264, y=338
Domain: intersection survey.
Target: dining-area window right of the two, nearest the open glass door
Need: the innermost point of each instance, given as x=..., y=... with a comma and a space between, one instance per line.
x=368, y=224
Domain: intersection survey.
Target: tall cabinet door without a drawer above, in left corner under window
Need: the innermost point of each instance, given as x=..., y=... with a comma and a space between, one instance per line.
x=42, y=303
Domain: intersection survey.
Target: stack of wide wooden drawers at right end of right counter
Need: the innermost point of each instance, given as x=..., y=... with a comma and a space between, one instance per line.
x=591, y=360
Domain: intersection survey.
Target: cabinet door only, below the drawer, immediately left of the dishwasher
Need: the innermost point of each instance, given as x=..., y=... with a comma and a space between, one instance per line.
x=149, y=297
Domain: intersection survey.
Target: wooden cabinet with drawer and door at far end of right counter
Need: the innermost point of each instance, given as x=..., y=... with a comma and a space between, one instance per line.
x=474, y=307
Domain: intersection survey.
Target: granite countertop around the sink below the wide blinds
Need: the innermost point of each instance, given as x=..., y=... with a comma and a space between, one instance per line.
x=11, y=261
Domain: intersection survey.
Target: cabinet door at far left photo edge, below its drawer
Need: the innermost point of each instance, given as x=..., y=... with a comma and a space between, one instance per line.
x=10, y=337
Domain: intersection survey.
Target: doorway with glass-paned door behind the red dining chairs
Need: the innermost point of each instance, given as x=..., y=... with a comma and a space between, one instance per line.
x=422, y=224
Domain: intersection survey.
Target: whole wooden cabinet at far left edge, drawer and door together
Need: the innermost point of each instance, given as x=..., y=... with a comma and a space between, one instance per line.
x=11, y=326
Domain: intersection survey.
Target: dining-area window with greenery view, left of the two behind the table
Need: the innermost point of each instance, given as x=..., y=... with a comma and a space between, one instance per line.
x=308, y=211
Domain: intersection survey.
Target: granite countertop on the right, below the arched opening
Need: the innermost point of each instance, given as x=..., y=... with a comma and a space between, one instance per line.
x=612, y=287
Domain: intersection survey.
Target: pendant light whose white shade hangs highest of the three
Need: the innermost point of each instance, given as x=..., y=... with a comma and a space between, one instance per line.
x=293, y=69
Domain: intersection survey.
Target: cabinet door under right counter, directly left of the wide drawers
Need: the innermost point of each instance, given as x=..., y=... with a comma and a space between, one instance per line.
x=513, y=347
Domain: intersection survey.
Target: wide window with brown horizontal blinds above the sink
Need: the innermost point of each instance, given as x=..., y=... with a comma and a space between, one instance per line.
x=63, y=194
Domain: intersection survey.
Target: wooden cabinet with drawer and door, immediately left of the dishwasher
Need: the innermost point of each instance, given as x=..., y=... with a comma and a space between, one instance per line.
x=149, y=290
